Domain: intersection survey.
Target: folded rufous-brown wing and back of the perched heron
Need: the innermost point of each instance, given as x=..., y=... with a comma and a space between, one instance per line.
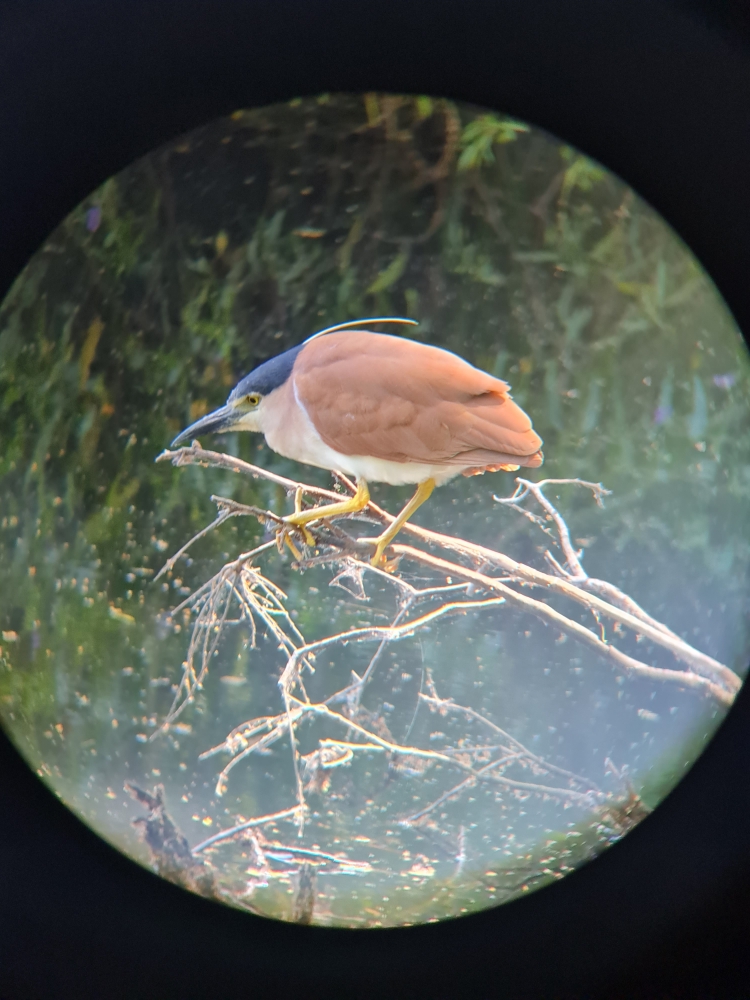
x=391, y=398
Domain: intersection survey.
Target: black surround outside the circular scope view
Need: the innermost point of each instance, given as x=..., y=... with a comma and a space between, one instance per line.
x=657, y=91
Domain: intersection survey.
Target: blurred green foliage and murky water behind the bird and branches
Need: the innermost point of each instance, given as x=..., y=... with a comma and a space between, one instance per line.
x=222, y=249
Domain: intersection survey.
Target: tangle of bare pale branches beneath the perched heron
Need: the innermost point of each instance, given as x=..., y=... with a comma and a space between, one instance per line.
x=467, y=578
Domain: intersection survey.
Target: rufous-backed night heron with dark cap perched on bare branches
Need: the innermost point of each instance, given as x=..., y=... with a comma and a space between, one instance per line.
x=381, y=408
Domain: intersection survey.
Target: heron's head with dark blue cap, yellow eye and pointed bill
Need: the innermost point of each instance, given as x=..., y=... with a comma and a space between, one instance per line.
x=247, y=402
